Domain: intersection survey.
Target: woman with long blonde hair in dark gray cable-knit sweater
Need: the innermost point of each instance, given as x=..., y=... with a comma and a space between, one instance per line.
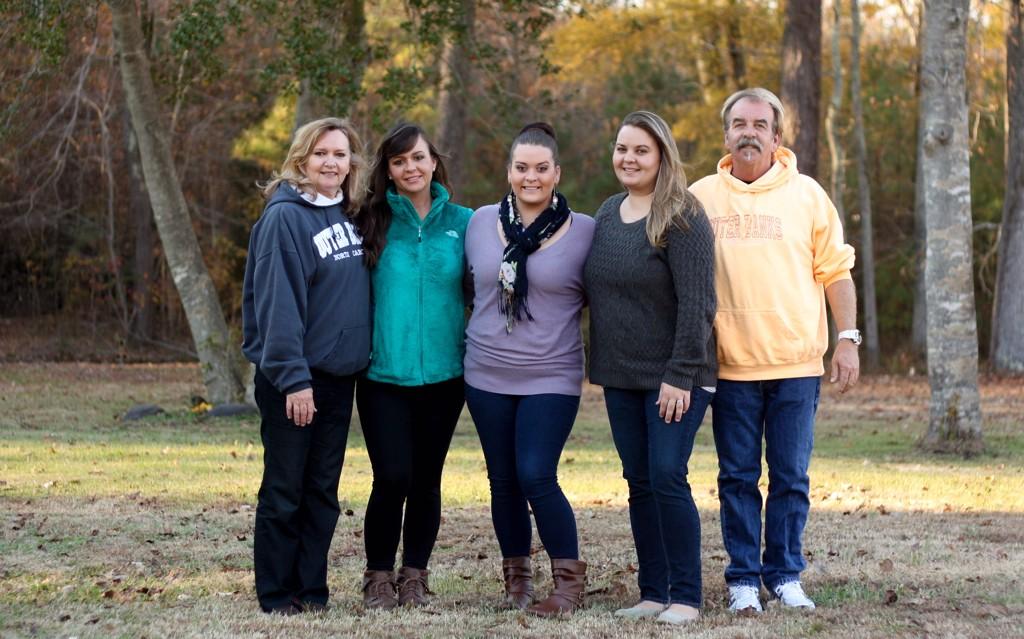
x=651, y=282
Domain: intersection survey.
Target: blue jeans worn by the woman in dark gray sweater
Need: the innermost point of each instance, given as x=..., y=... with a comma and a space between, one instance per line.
x=665, y=520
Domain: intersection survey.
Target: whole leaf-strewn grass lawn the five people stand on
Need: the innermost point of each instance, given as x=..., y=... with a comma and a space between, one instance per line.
x=111, y=529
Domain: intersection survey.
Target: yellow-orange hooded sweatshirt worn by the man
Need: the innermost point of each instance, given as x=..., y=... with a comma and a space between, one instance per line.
x=779, y=244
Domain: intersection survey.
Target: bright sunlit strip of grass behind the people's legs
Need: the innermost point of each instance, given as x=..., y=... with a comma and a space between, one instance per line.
x=181, y=458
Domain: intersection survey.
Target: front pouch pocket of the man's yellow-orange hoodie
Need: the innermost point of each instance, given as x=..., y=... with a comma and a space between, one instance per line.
x=751, y=338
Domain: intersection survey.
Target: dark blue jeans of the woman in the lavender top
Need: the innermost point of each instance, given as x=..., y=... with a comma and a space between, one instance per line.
x=523, y=439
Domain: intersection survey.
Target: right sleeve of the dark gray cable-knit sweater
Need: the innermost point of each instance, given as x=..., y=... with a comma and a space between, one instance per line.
x=692, y=262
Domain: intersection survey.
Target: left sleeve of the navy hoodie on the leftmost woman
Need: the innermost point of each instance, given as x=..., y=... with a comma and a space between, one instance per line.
x=280, y=290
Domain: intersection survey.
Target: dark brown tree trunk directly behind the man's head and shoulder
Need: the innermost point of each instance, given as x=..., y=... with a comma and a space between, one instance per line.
x=802, y=81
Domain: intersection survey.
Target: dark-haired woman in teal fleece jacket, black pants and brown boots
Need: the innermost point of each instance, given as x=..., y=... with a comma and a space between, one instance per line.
x=412, y=395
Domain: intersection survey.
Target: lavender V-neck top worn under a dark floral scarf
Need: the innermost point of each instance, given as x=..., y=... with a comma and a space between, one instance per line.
x=540, y=357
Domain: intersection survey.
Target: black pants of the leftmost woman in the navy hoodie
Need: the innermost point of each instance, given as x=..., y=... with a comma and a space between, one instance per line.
x=298, y=499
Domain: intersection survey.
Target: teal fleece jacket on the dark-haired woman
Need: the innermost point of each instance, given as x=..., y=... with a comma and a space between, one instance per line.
x=419, y=318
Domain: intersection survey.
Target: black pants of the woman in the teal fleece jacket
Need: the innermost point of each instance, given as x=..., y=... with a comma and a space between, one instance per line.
x=408, y=432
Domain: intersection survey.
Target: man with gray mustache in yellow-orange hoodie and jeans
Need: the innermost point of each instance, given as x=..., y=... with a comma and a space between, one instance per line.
x=780, y=253
